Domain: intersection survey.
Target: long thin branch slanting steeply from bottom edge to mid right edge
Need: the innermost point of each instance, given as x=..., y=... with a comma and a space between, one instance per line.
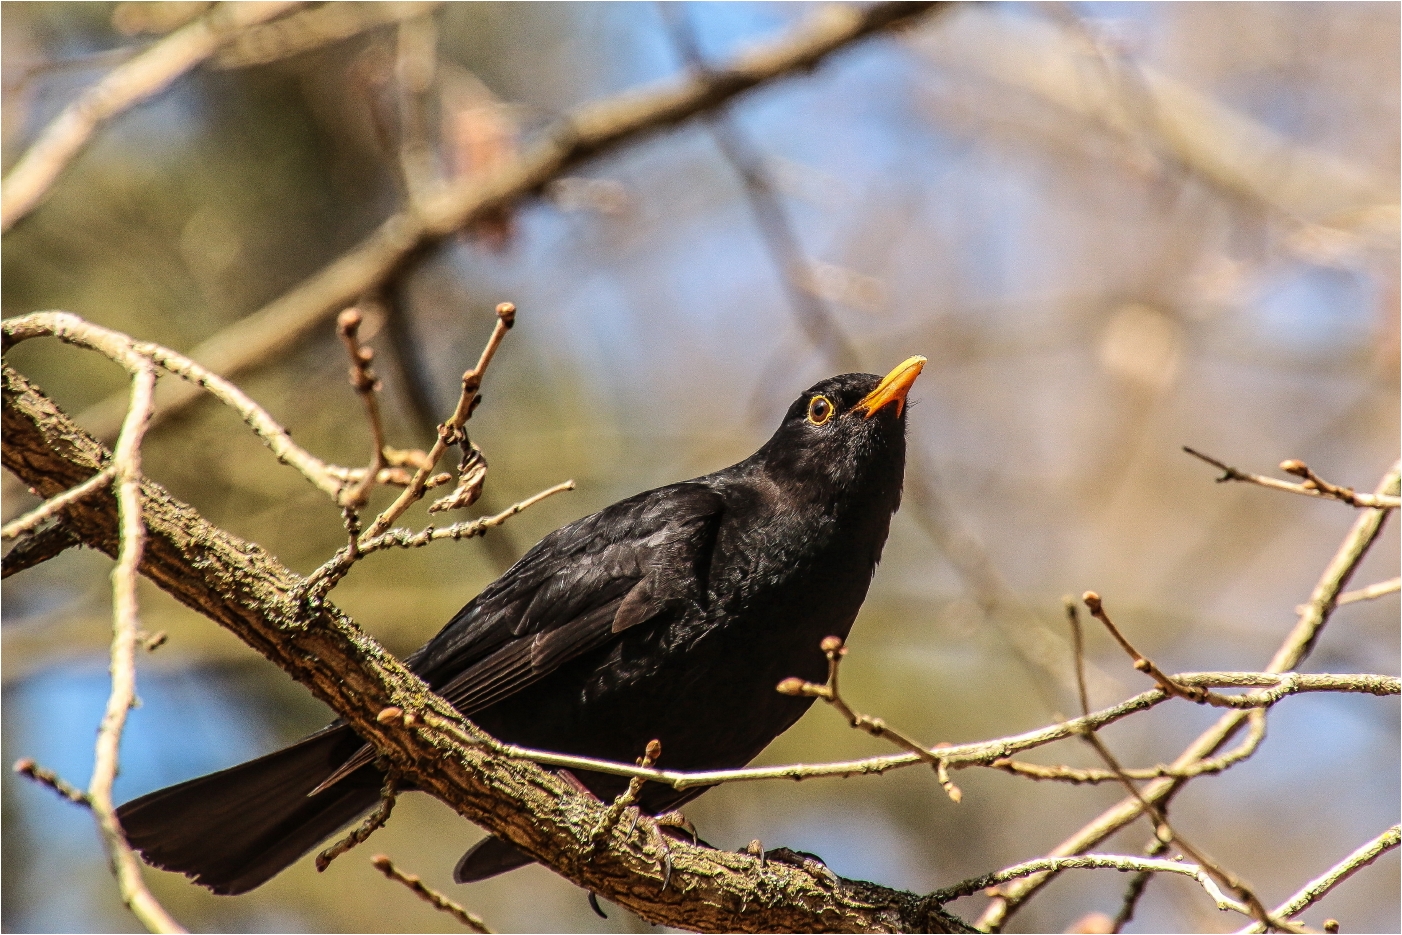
x=1313, y=617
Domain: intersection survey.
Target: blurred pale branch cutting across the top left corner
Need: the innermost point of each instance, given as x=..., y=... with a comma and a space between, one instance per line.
x=124, y=88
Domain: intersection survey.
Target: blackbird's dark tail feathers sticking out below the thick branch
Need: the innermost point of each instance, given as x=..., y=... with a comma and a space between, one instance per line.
x=233, y=831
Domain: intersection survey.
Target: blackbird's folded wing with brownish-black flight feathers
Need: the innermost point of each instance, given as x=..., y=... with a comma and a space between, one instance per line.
x=637, y=561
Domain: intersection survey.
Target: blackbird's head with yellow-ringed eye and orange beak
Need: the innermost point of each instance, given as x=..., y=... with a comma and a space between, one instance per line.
x=846, y=437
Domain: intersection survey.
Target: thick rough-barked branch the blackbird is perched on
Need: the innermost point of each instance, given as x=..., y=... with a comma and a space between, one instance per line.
x=246, y=591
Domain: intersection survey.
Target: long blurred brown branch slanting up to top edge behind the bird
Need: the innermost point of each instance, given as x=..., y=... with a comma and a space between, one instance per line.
x=587, y=132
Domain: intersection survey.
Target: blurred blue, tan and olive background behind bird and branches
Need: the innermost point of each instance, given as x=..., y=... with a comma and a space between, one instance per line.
x=1114, y=229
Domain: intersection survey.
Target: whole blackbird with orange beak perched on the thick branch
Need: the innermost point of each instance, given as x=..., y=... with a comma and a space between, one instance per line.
x=669, y=616
